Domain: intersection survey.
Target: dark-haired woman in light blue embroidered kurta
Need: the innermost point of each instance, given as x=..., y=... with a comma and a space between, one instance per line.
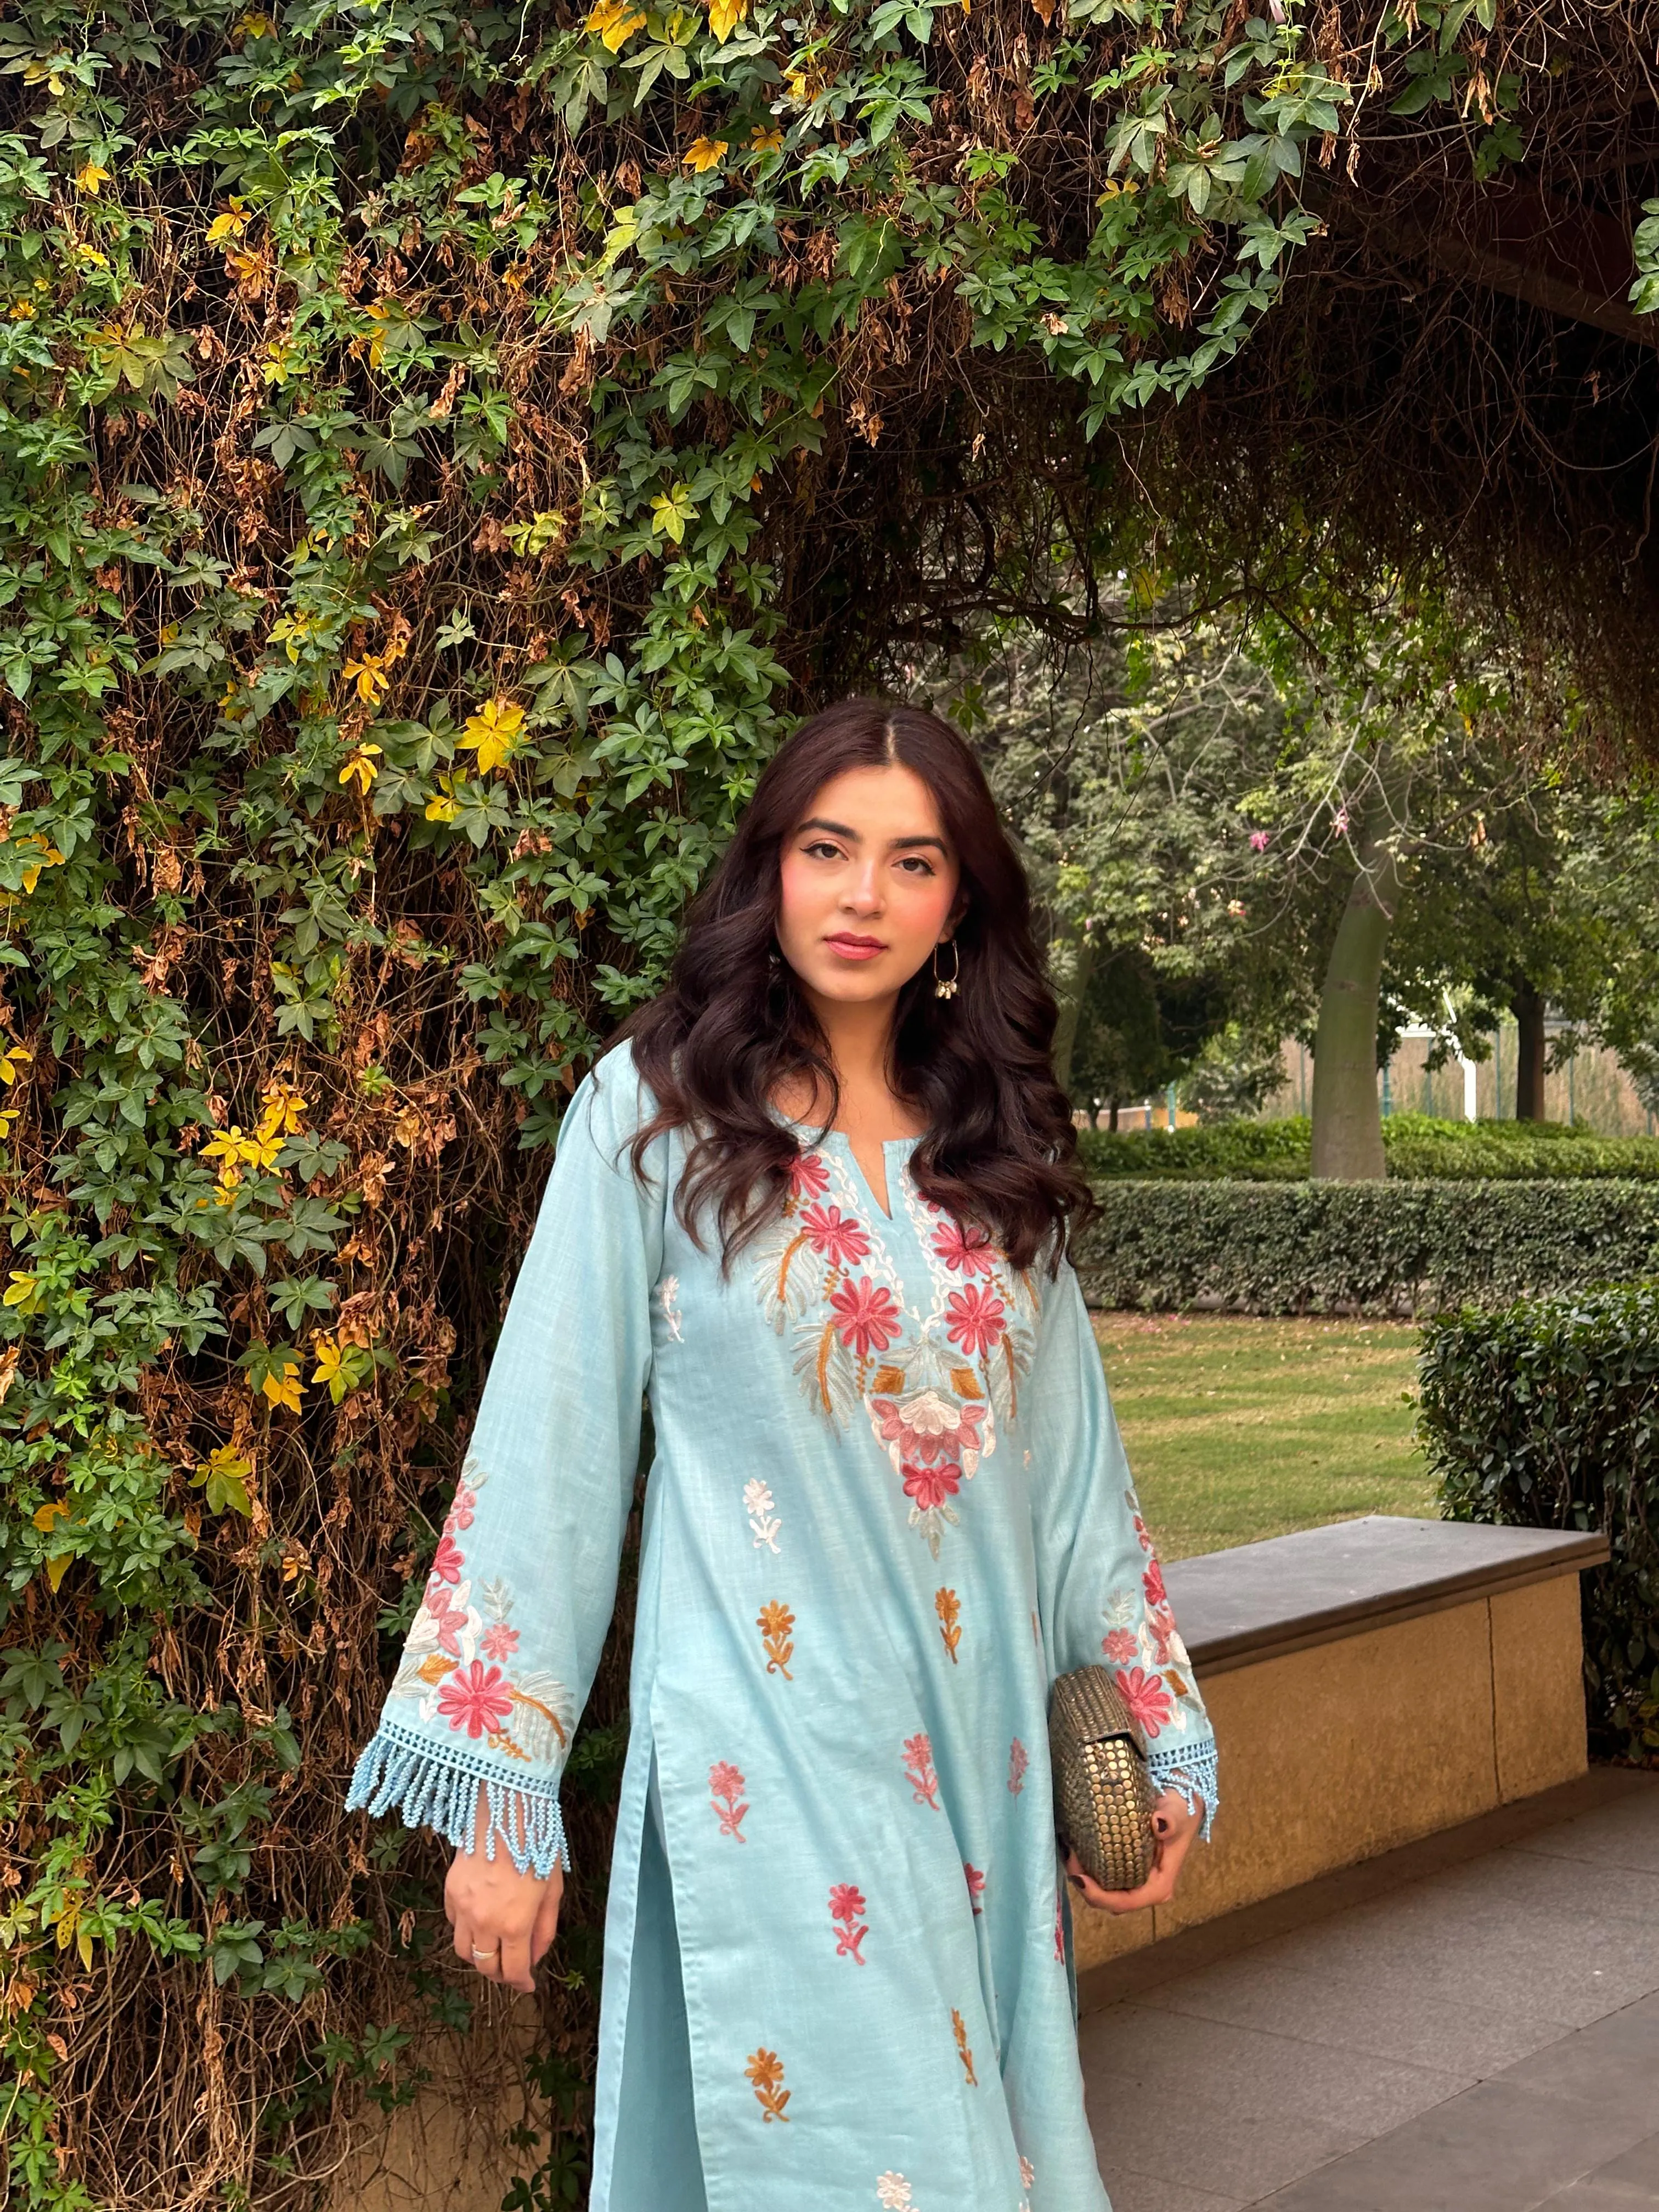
x=815, y=1207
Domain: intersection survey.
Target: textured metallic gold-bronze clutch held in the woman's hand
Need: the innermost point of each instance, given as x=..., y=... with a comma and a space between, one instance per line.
x=1103, y=1784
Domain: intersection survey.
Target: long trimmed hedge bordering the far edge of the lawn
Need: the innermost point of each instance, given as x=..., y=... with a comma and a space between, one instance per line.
x=1373, y=1249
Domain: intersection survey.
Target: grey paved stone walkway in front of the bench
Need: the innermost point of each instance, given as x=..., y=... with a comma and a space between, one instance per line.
x=1470, y=2025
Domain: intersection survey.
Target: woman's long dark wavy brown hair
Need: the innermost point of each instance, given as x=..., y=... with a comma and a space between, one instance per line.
x=733, y=1025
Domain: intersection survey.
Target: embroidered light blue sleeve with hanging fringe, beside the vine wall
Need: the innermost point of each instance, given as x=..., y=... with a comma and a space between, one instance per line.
x=519, y=1598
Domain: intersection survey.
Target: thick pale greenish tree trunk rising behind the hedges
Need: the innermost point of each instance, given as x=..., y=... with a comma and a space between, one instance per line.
x=1348, y=1123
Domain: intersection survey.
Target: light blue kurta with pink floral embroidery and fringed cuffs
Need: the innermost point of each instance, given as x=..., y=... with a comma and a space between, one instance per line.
x=888, y=1507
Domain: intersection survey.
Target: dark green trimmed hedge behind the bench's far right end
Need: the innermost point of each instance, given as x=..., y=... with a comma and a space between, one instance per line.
x=1547, y=1415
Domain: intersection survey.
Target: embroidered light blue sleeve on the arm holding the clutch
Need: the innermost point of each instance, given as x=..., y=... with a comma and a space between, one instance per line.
x=1098, y=1578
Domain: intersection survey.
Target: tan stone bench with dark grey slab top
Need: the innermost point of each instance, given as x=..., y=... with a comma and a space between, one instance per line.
x=1370, y=1684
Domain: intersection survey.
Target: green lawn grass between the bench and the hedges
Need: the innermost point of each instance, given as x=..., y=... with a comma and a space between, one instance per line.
x=1240, y=1430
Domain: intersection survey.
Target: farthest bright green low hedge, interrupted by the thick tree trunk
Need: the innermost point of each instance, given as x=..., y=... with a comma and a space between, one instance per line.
x=1417, y=1147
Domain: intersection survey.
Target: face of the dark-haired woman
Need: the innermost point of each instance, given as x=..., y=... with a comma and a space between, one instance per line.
x=868, y=886
